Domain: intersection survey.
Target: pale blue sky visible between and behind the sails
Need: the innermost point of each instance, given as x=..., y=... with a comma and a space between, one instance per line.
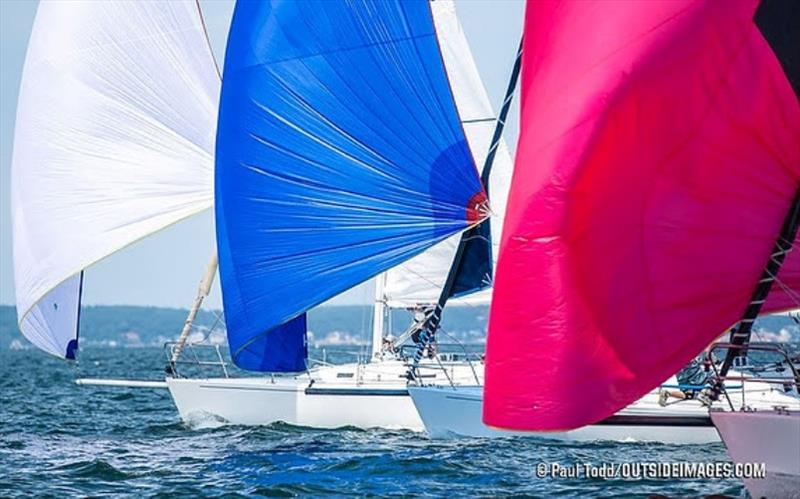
x=165, y=268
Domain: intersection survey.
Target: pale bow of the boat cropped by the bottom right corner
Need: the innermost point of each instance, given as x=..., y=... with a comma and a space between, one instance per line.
x=770, y=437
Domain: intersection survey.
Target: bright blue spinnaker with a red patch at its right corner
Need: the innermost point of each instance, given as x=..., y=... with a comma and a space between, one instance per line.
x=340, y=154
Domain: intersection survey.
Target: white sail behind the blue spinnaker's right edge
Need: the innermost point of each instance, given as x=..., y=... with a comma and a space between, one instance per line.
x=420, y=279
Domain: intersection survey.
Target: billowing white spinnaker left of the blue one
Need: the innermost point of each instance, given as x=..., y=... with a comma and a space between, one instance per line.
x=114, y=140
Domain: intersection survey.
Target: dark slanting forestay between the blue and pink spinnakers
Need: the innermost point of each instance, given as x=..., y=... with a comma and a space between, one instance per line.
x=432, y=324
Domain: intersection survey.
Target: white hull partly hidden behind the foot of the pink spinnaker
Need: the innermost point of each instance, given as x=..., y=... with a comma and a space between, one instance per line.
x=449, y=412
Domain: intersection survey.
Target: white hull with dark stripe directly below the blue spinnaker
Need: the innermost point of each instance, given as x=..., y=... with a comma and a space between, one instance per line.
x=370, y=395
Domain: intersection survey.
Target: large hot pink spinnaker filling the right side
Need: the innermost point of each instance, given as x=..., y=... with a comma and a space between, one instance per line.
x=659, y=153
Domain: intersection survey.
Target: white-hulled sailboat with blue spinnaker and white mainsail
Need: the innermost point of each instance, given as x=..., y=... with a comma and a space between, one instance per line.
x=322, y=92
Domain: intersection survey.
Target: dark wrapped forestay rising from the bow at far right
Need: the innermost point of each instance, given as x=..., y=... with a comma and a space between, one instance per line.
x=783, y=245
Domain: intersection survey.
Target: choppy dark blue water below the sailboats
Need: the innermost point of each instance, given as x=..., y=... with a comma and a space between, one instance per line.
x=59, y=439
